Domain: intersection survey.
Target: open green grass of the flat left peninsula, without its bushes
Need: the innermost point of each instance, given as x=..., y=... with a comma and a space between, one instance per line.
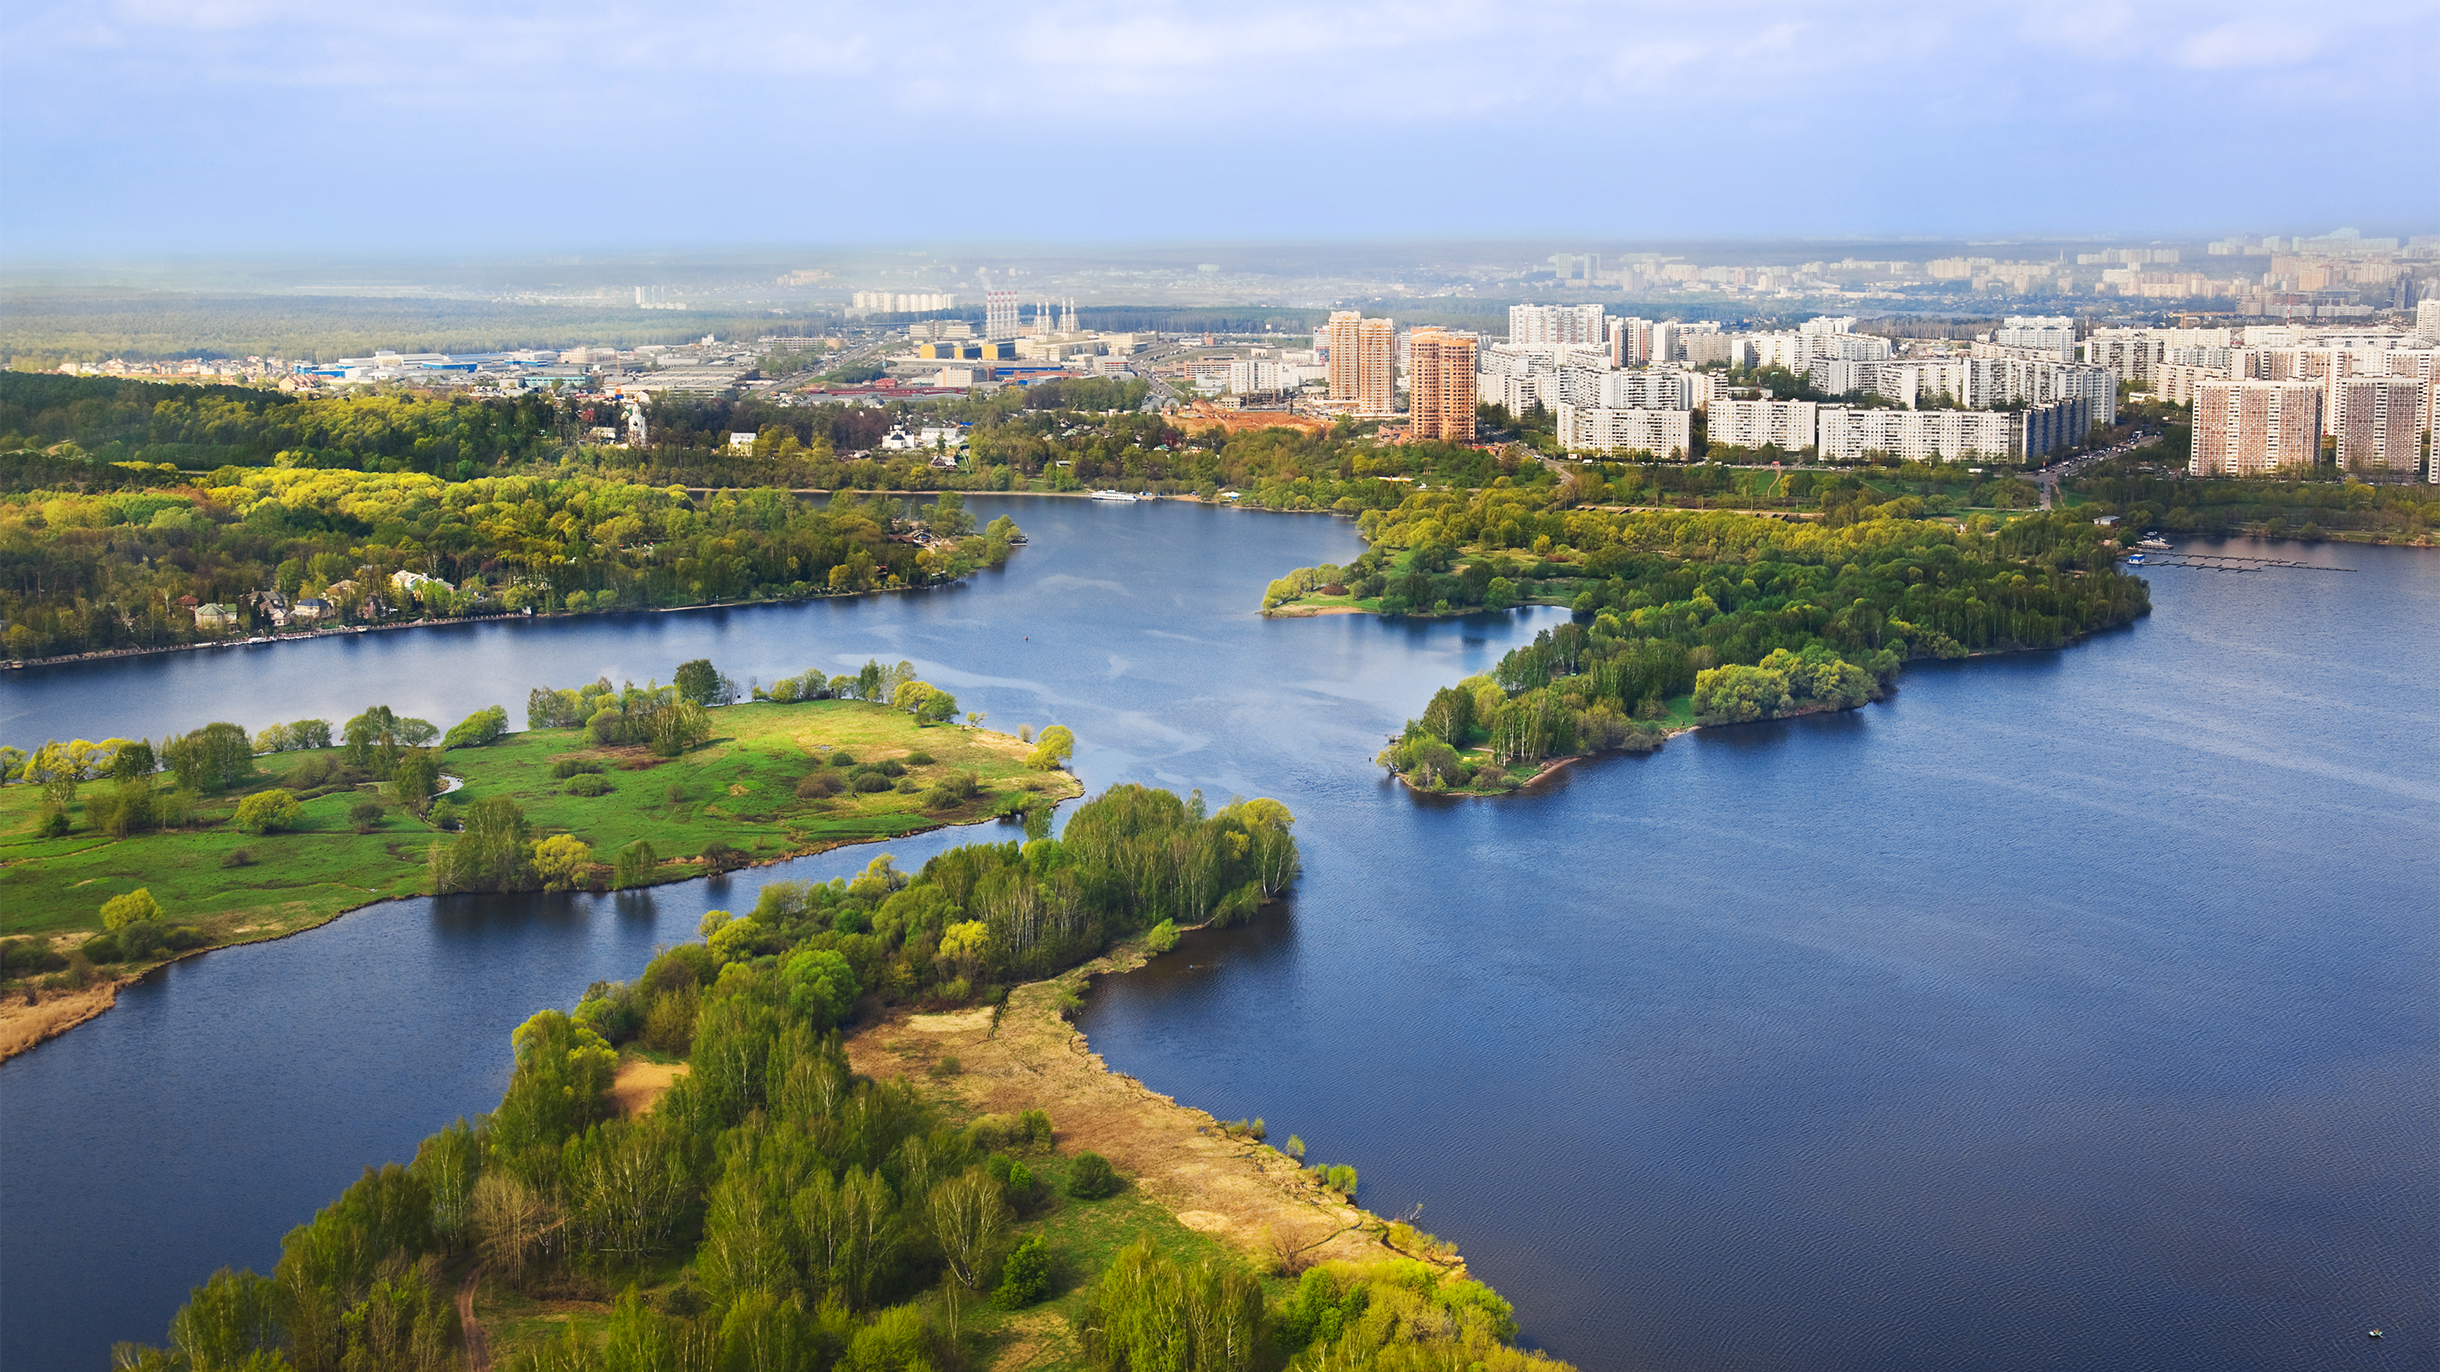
x=736, y=790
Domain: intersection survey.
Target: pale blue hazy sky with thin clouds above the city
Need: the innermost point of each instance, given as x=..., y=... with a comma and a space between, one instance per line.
x=445, y=126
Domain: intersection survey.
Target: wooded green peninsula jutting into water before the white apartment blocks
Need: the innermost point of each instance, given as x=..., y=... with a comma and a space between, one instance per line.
x=1699, y=619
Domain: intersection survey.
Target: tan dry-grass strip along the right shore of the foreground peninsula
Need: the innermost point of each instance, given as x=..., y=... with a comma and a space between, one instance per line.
x=1241, y=1193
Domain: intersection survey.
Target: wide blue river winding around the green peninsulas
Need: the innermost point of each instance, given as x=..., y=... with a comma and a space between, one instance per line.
x=2063, y=1012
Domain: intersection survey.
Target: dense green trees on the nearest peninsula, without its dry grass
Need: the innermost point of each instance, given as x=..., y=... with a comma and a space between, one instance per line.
x=789, y=1215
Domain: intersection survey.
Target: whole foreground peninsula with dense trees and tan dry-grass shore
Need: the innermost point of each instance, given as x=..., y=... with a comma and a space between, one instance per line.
x=697, y=1171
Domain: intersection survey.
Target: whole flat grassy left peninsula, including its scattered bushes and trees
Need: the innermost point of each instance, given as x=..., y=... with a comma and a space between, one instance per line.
x=126, y=853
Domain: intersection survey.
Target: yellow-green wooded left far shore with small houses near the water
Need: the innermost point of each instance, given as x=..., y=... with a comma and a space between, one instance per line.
x=84, y=572
